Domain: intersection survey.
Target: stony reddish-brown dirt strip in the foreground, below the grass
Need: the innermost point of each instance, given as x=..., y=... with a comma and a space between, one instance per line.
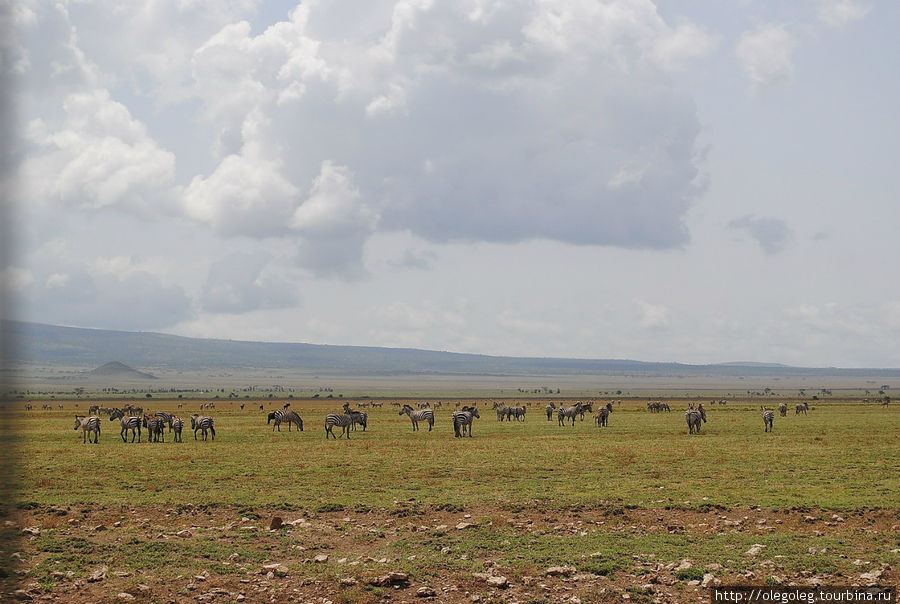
x=332, y=556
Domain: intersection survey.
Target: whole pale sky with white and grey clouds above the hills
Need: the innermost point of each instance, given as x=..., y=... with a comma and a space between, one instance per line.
x=696, y=181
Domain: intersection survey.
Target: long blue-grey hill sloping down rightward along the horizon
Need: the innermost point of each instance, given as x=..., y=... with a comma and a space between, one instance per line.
x=77, y=348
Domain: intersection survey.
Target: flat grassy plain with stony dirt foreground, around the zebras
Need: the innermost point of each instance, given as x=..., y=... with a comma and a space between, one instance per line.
x=523, y=511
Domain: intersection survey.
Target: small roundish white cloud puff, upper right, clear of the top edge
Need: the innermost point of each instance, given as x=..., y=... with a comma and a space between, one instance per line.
x=766, y=54
